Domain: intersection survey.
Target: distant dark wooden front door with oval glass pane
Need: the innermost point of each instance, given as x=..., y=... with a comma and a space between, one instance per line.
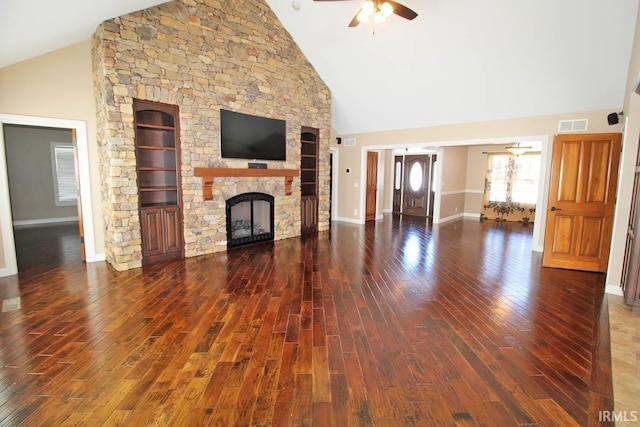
x=417, y=171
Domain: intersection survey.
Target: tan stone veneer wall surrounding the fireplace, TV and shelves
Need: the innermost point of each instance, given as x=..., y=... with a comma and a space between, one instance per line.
x=202, y=55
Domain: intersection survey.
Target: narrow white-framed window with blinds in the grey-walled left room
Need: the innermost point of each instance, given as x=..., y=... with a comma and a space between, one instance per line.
x=64, y=174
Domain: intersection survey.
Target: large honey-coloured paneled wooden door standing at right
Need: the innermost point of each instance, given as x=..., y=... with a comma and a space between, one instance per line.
x=582, y=194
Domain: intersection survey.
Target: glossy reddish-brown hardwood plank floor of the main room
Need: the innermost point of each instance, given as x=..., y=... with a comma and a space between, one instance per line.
x=392, y=324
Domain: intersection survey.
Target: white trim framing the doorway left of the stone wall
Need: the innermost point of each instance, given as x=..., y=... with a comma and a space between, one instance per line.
x=9, y=266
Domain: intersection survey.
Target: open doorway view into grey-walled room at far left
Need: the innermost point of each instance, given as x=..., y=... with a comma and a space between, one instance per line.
x=42, y=175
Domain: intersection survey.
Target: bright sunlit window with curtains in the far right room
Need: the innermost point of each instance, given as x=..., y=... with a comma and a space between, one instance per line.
x=514, y=178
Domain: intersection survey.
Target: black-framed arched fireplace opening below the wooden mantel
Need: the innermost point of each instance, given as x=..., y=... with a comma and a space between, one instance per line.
x=249, y=219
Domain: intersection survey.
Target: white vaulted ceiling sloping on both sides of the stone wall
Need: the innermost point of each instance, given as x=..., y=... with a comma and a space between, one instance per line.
x=458, y=61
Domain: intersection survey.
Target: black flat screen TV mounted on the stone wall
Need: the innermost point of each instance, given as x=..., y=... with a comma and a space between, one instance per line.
x=243, y=136
